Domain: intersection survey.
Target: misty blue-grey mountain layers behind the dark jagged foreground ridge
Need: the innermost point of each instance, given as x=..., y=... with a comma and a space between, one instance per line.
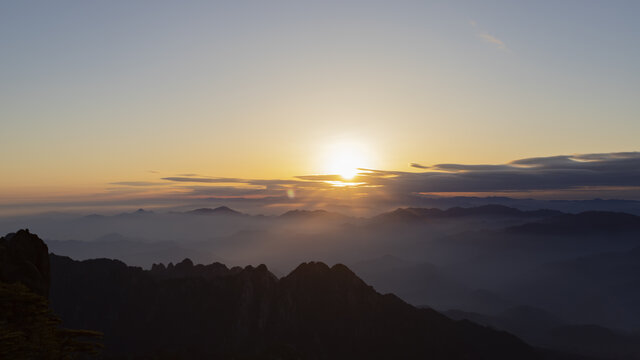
x=580, y=268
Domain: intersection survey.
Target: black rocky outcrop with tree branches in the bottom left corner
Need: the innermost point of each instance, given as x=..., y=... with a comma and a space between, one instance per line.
x=28, y=327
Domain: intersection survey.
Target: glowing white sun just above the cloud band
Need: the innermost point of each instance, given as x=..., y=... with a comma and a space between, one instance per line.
x=345, y=158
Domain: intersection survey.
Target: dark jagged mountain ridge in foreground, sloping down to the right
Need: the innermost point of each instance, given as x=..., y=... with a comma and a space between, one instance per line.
x=315, y=312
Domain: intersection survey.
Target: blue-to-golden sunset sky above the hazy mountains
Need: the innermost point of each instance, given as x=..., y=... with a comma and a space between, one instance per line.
x=111, y=102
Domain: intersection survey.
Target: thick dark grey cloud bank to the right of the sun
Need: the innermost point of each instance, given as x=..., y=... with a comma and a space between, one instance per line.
x=563, y=172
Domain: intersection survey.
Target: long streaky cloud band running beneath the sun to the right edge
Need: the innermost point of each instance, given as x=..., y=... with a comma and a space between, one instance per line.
x=552, y=173
